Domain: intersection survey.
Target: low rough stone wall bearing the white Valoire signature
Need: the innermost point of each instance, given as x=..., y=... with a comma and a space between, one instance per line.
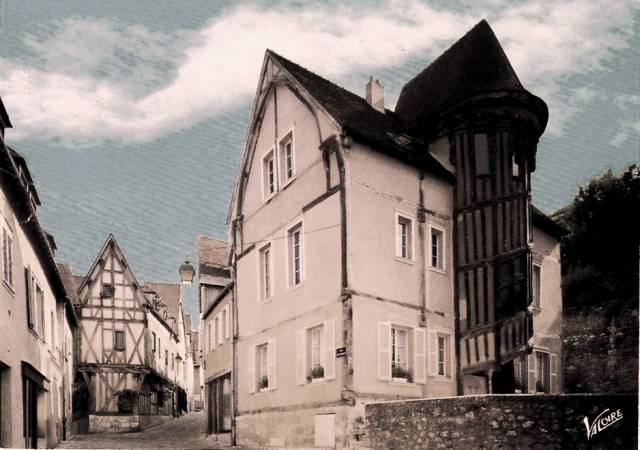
x=500, y=421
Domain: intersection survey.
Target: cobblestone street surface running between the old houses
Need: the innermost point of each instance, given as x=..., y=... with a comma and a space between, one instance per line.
x=184, y=432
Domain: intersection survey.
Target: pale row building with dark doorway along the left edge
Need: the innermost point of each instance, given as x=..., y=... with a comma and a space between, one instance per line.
x=36, y=318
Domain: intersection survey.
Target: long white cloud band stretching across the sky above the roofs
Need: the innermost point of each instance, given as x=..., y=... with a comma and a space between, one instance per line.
x=96, y=80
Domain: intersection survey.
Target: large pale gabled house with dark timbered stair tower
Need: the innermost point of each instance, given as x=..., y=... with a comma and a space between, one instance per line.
x=385, y=254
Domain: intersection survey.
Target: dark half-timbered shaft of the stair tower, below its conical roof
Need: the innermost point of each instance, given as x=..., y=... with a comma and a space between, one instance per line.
x=493, y=256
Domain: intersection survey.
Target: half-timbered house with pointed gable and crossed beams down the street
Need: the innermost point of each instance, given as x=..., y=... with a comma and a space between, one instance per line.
x=130, y=347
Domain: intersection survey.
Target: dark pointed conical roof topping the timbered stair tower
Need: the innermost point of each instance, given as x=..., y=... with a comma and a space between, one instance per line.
x=475, y=64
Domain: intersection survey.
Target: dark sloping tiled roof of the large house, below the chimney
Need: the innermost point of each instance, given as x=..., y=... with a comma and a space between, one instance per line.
x=383, y=131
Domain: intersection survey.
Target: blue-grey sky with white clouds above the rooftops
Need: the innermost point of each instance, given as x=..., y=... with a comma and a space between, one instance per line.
x=132, y=115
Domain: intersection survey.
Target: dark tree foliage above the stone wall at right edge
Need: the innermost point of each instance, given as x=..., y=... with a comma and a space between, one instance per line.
x=600, y=252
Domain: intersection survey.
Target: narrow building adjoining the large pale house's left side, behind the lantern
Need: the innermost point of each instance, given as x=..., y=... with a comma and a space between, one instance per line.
x=216, y=332
